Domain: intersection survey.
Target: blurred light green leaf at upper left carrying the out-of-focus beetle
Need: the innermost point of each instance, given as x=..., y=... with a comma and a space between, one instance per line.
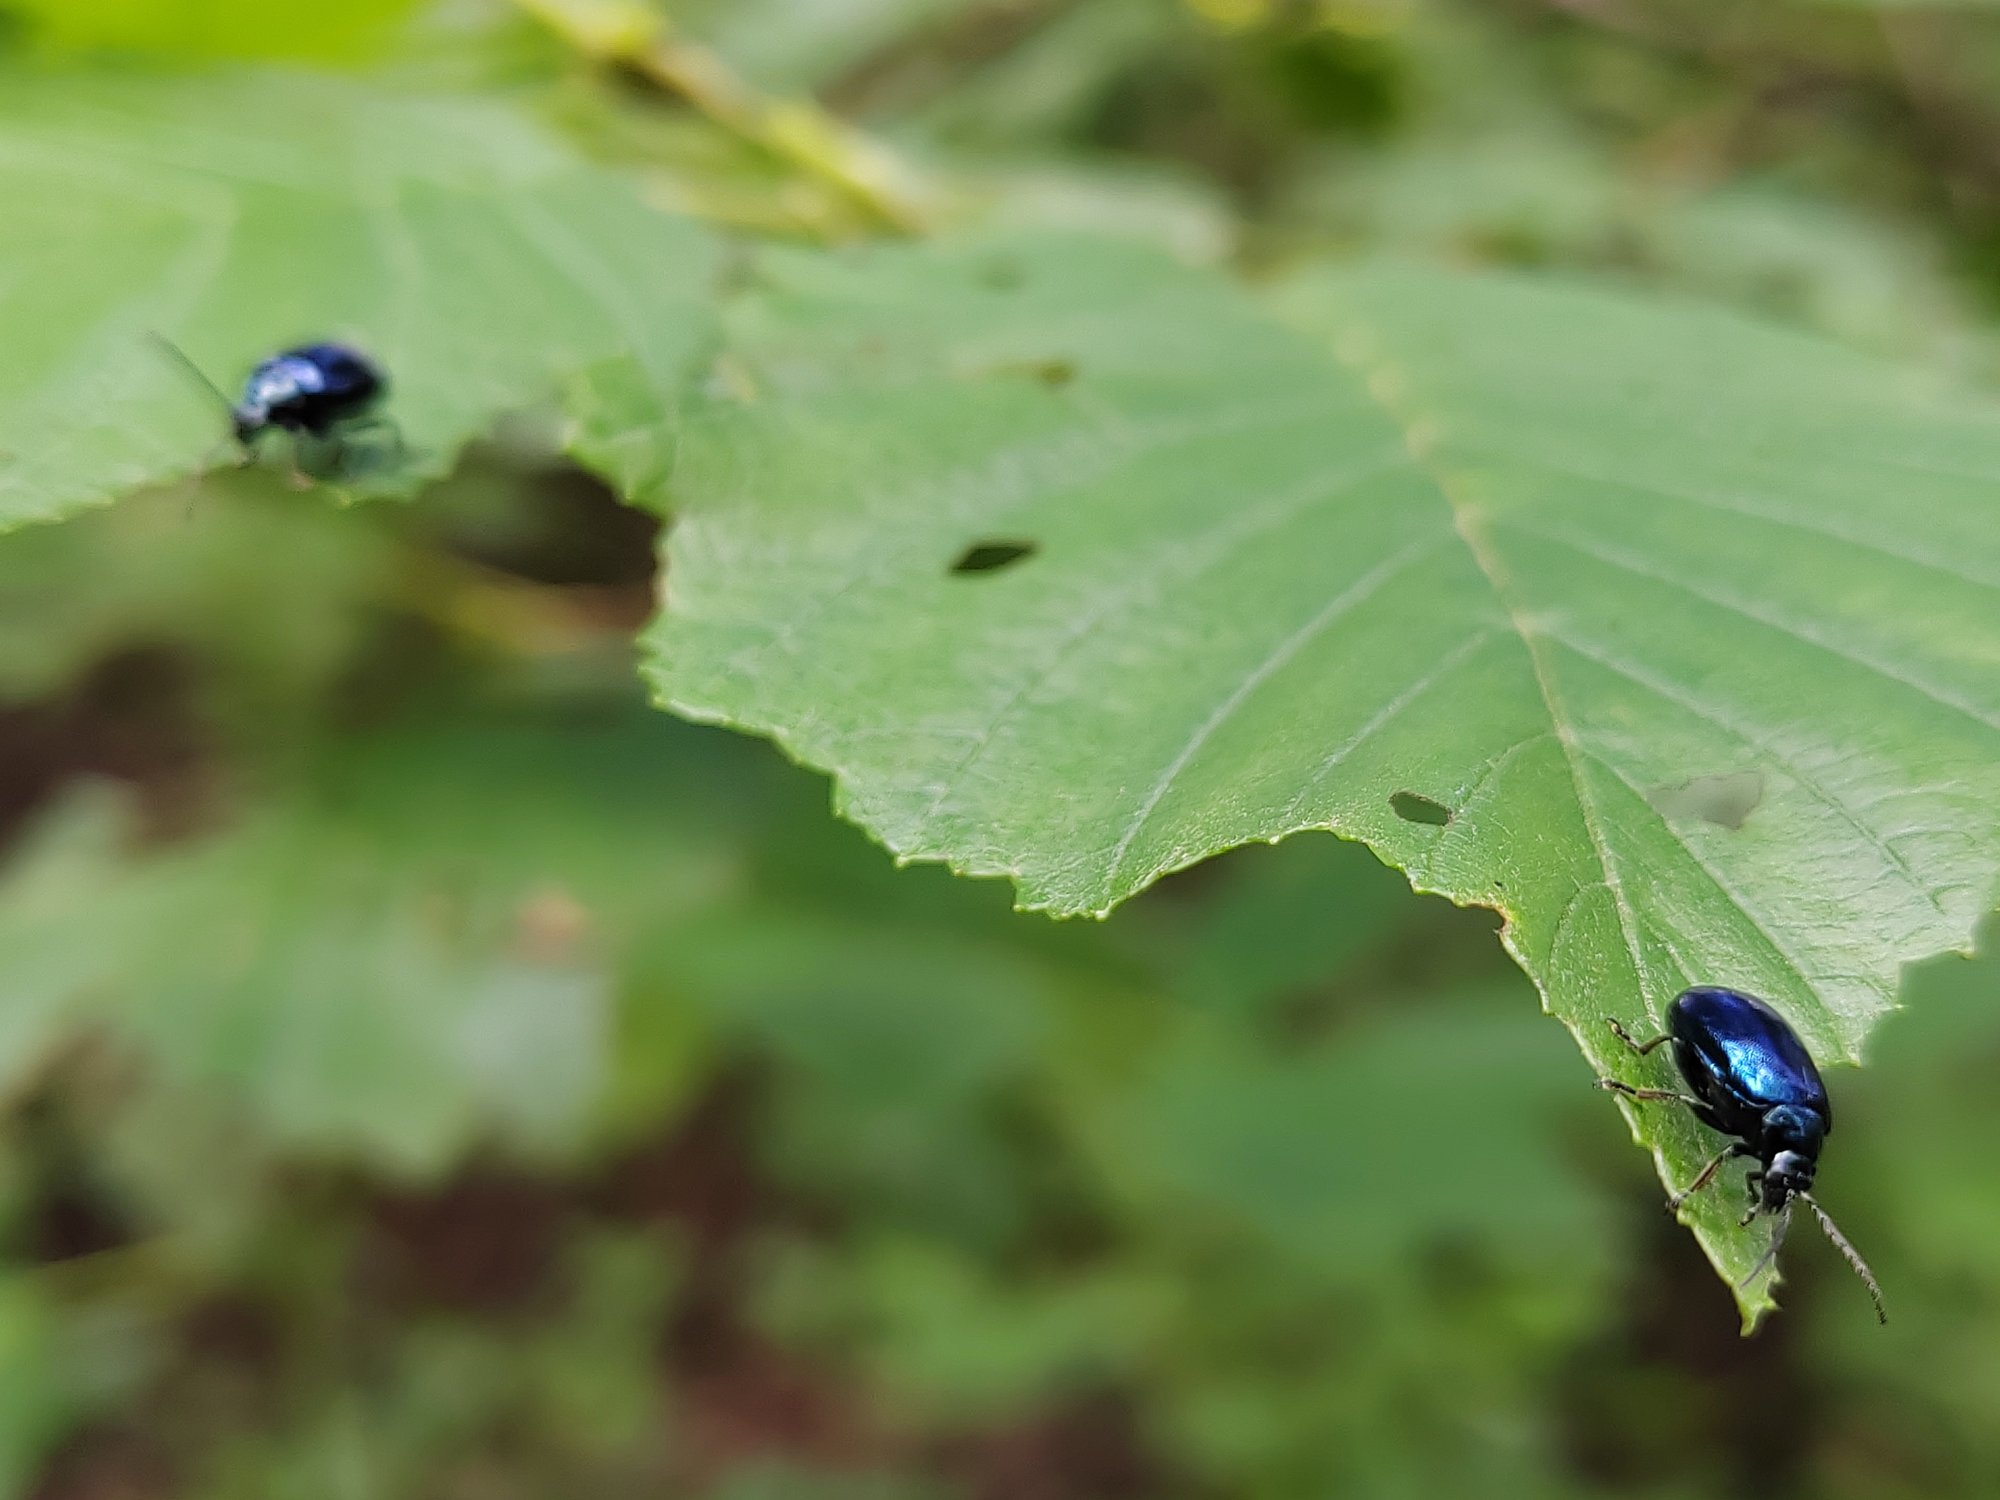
x=237, y=215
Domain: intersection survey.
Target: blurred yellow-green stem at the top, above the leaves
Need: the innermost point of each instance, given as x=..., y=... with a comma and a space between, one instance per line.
x=637, y=39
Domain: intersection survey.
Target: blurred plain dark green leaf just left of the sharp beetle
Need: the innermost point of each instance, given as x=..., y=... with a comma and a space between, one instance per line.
x=1407, y=1137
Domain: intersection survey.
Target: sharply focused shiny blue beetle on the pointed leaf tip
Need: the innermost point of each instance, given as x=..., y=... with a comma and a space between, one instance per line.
x=1753, y=1079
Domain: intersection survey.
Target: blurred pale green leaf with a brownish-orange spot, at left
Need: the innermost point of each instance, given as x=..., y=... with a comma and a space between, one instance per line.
x=411, y=953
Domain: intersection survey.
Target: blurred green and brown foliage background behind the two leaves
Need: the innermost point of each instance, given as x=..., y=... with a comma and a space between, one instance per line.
x=425, y=1071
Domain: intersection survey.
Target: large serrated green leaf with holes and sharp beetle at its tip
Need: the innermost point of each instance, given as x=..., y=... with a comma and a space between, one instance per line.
x=1663, y=633
